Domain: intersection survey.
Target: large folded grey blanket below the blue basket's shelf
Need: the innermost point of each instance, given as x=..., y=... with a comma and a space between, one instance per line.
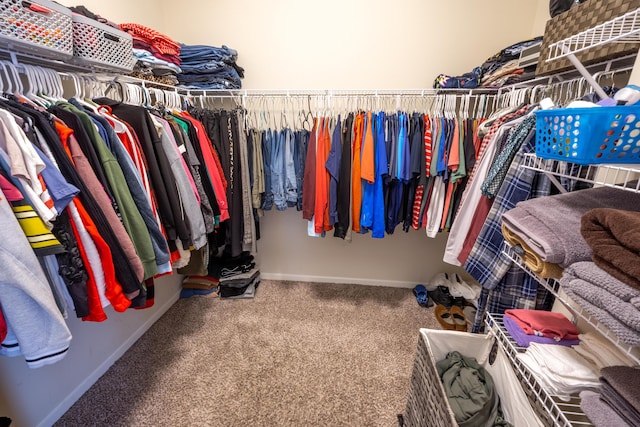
x=550, y=226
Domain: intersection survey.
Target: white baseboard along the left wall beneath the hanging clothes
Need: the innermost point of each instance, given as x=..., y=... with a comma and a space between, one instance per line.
x=69, y=400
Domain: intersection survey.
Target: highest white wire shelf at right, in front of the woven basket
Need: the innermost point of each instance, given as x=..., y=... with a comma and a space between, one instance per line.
x=625, y=28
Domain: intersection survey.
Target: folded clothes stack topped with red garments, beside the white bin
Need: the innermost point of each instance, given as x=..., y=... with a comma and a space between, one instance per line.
x=158, y=56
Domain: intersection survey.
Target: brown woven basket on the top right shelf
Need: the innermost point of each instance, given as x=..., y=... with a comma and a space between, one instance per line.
x=580, y=18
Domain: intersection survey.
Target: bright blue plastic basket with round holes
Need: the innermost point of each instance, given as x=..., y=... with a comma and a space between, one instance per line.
x=589, y=135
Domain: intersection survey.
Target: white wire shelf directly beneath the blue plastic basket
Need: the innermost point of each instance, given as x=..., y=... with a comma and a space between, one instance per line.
x=625, y=178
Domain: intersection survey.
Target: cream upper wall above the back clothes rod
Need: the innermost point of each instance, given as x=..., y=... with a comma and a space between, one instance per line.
x=356, y=44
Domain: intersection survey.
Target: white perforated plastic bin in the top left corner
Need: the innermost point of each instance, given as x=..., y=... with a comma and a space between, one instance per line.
x=42, y=28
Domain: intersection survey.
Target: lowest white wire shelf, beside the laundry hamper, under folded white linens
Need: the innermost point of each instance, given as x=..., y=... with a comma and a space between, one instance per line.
x=551, y=409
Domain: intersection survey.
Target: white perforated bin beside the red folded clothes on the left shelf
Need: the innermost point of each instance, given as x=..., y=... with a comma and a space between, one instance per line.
x=101, y=46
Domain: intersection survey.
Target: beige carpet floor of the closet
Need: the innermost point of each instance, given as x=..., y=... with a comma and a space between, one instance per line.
x=298, y=354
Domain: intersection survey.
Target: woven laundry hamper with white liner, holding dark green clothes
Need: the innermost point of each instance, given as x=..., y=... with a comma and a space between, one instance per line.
x=427, y=404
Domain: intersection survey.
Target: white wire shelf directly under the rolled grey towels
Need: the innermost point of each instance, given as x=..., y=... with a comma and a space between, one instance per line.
x=553, y=286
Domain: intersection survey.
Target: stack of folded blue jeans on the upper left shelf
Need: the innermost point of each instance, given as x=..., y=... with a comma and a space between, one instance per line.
x=209, y=67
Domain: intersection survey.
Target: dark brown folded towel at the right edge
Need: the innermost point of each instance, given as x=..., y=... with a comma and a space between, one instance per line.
x=614, y=238
